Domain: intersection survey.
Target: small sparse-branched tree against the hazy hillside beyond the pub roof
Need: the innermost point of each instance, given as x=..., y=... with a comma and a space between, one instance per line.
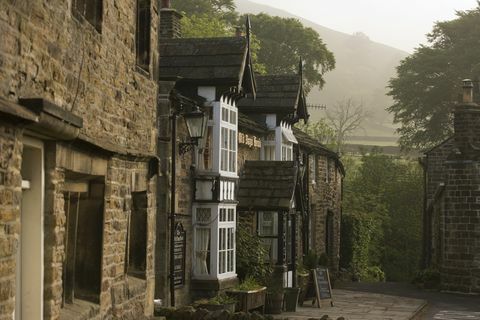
x=346, y=117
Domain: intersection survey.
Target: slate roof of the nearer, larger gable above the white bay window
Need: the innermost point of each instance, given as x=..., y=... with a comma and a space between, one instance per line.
x=208, y=60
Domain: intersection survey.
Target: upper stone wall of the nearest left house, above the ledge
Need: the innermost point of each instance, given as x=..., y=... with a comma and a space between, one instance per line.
x=47, y=53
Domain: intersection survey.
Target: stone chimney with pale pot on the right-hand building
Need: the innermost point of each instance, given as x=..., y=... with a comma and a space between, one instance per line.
x=466, y=122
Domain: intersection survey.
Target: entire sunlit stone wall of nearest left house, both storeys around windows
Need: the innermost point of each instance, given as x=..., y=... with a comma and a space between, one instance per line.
x=48, y=53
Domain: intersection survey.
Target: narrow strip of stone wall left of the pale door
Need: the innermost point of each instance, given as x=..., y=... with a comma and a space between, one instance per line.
x=10, y=199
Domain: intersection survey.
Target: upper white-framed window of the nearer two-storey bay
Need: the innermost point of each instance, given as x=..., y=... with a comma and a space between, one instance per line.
x=228, y=107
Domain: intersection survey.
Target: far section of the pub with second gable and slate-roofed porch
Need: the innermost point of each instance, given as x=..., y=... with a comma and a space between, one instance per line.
x=292, y=214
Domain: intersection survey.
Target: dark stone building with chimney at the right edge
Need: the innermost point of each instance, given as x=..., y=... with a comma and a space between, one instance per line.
x=452, y=210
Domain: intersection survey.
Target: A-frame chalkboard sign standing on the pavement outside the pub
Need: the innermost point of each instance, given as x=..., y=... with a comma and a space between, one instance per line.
x=319, y=288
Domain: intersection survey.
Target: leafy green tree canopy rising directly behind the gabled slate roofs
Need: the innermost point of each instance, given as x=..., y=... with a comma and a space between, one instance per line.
x=277, y=43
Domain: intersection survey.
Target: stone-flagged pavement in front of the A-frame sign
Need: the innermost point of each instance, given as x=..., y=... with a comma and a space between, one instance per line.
x=354, y=305
